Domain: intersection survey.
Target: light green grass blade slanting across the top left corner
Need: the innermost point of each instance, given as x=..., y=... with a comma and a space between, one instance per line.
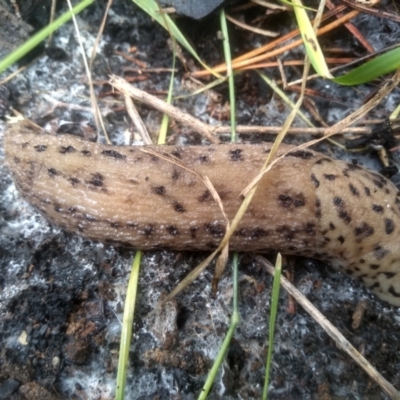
x=41, y=35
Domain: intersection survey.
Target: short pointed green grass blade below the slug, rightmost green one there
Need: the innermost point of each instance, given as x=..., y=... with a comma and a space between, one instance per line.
x=272, y=319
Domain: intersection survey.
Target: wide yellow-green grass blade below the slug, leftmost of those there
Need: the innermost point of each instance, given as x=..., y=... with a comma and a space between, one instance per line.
x=126, y=331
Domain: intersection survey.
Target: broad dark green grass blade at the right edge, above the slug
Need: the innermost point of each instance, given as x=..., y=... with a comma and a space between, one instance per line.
x=373, y=69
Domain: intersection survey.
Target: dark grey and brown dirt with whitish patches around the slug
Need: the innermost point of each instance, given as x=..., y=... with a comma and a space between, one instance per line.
x=62, y=297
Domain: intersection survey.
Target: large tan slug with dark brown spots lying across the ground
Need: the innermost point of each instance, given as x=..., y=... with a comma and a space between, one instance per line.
x=308, y=204
